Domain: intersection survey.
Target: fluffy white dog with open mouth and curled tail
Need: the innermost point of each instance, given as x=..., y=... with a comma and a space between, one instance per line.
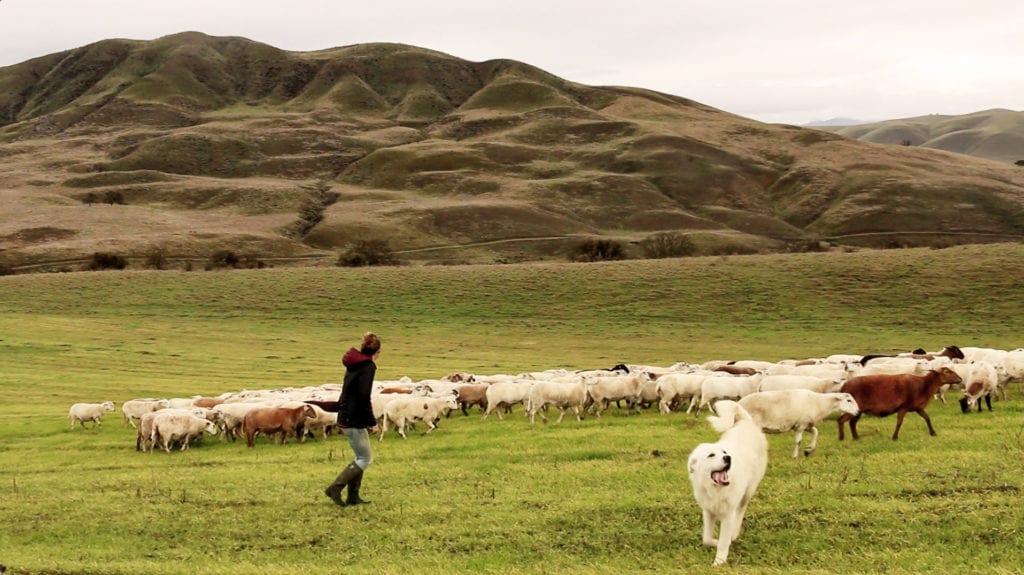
x=727, y=474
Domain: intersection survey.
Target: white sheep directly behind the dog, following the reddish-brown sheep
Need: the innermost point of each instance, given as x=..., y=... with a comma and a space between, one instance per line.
x=797, y=411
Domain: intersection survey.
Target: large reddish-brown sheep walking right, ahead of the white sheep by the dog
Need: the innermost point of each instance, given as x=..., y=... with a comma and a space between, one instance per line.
x=894, y=393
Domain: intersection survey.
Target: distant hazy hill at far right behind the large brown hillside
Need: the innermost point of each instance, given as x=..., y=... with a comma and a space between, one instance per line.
x=994, y=135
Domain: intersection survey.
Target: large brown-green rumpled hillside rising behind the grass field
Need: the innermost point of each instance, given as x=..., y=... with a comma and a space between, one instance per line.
x=193, y=145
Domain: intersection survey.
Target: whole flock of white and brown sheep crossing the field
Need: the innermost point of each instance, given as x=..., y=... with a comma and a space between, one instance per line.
x=790, y=395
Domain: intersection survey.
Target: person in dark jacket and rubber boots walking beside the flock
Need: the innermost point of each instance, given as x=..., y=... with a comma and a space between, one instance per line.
x=356, y=418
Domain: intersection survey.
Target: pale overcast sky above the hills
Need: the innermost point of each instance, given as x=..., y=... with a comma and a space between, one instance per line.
x=791, y=62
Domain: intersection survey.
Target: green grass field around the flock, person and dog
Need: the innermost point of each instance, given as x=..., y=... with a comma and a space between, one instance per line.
x=607, y=496
